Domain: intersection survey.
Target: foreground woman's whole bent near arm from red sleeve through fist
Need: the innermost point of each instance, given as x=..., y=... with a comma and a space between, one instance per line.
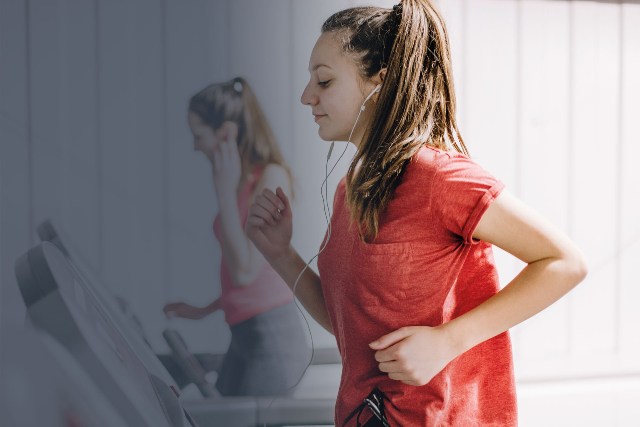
x=415, y=354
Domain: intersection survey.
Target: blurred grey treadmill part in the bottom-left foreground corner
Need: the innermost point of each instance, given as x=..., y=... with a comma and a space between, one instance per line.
x=42, y=384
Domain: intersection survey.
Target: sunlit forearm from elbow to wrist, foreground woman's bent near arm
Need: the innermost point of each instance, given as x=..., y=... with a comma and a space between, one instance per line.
x=538, y=285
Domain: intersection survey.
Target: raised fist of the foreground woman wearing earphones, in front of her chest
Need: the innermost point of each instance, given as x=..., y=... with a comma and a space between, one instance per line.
x=269, y=225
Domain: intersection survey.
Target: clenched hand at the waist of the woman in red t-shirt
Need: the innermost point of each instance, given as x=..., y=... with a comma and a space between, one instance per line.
x=414, y=354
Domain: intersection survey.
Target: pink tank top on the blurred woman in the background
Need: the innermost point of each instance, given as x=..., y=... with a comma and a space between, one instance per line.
x=267, y=291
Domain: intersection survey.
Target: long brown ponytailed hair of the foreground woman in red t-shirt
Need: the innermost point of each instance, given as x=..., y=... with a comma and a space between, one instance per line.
x=416, y=106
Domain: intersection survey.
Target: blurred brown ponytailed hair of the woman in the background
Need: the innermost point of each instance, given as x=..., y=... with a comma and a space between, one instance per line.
x=235, y=101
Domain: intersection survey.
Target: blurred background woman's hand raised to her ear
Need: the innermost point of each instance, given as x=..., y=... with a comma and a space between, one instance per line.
x=226, y=162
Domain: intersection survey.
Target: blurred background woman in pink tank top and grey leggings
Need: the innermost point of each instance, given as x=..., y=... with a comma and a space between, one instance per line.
x=268, y=350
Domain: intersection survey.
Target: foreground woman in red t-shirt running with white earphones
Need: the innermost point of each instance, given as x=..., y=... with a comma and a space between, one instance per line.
x=407, y=280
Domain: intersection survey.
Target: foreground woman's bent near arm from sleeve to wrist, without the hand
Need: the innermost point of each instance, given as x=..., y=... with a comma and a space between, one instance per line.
x=554, y=267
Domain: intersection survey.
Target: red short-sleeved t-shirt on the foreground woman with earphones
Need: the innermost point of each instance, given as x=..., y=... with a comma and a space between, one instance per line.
x=424, y=268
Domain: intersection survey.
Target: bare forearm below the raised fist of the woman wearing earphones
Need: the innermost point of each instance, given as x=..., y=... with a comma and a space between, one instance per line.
x=307, y=289
